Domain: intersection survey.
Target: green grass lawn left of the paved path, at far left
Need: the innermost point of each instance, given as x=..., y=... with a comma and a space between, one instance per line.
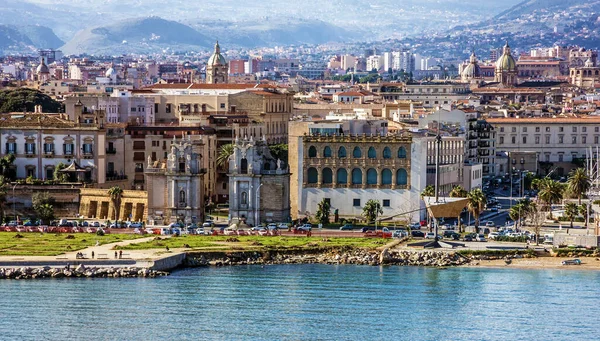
x=50, y=244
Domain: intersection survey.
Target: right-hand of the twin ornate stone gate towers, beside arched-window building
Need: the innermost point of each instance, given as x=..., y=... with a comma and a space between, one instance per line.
x=259, y=184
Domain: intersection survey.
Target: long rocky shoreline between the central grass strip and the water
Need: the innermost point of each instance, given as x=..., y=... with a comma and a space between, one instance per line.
x=340, y=256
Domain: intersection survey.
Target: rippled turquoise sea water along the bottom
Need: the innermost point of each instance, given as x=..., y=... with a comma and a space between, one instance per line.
x=308, y=302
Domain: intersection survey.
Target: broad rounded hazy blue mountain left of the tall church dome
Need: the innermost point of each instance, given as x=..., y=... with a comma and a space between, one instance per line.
x=141, y=35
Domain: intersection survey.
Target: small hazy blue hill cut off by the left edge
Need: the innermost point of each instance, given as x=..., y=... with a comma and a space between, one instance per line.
x=15, y=39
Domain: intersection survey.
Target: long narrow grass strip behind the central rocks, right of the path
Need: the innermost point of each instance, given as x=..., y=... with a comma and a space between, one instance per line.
x=255, y=242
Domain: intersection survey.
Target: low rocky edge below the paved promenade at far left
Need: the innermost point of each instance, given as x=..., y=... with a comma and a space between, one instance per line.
x=79, y=271
